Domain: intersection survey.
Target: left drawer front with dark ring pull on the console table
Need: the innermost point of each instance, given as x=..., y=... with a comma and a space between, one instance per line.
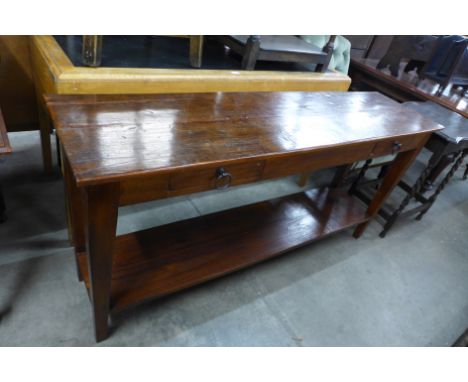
x=219, y=177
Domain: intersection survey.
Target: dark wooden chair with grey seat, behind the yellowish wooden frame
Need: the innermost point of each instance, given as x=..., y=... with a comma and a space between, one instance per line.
x=278, y=48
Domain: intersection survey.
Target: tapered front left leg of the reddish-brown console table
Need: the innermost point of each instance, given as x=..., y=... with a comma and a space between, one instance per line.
x=102, y=210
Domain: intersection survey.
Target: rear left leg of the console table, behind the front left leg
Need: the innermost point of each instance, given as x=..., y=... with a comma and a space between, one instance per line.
x=75, y=207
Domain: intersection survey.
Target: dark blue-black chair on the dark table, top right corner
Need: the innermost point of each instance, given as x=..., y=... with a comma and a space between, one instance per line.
x=448, y=63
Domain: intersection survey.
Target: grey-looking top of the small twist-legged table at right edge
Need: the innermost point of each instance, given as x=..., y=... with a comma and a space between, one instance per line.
x=456, y=126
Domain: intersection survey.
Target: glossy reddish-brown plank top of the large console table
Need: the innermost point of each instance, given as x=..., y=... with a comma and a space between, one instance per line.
x=113, y=137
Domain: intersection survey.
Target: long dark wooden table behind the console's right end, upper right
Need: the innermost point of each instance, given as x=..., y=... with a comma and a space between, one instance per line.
x=404, y=88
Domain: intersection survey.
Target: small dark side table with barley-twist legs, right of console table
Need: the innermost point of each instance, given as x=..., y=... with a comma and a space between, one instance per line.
x=448, y=146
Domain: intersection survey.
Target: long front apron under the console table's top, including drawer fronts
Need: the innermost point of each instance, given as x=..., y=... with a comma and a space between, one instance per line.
x=188, y=181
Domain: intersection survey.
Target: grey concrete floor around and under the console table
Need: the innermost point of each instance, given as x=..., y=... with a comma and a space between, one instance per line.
x=409, y=289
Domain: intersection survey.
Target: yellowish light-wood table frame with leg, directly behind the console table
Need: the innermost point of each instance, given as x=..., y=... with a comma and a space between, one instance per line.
x=54, y=73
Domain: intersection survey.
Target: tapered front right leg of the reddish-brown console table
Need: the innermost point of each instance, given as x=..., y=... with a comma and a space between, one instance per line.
x=394, y=173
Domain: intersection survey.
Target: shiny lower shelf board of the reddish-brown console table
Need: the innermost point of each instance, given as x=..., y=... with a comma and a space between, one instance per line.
x=162, y=260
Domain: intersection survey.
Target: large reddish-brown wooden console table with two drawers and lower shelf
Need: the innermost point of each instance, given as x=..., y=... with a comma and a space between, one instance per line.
x=126, y=149
